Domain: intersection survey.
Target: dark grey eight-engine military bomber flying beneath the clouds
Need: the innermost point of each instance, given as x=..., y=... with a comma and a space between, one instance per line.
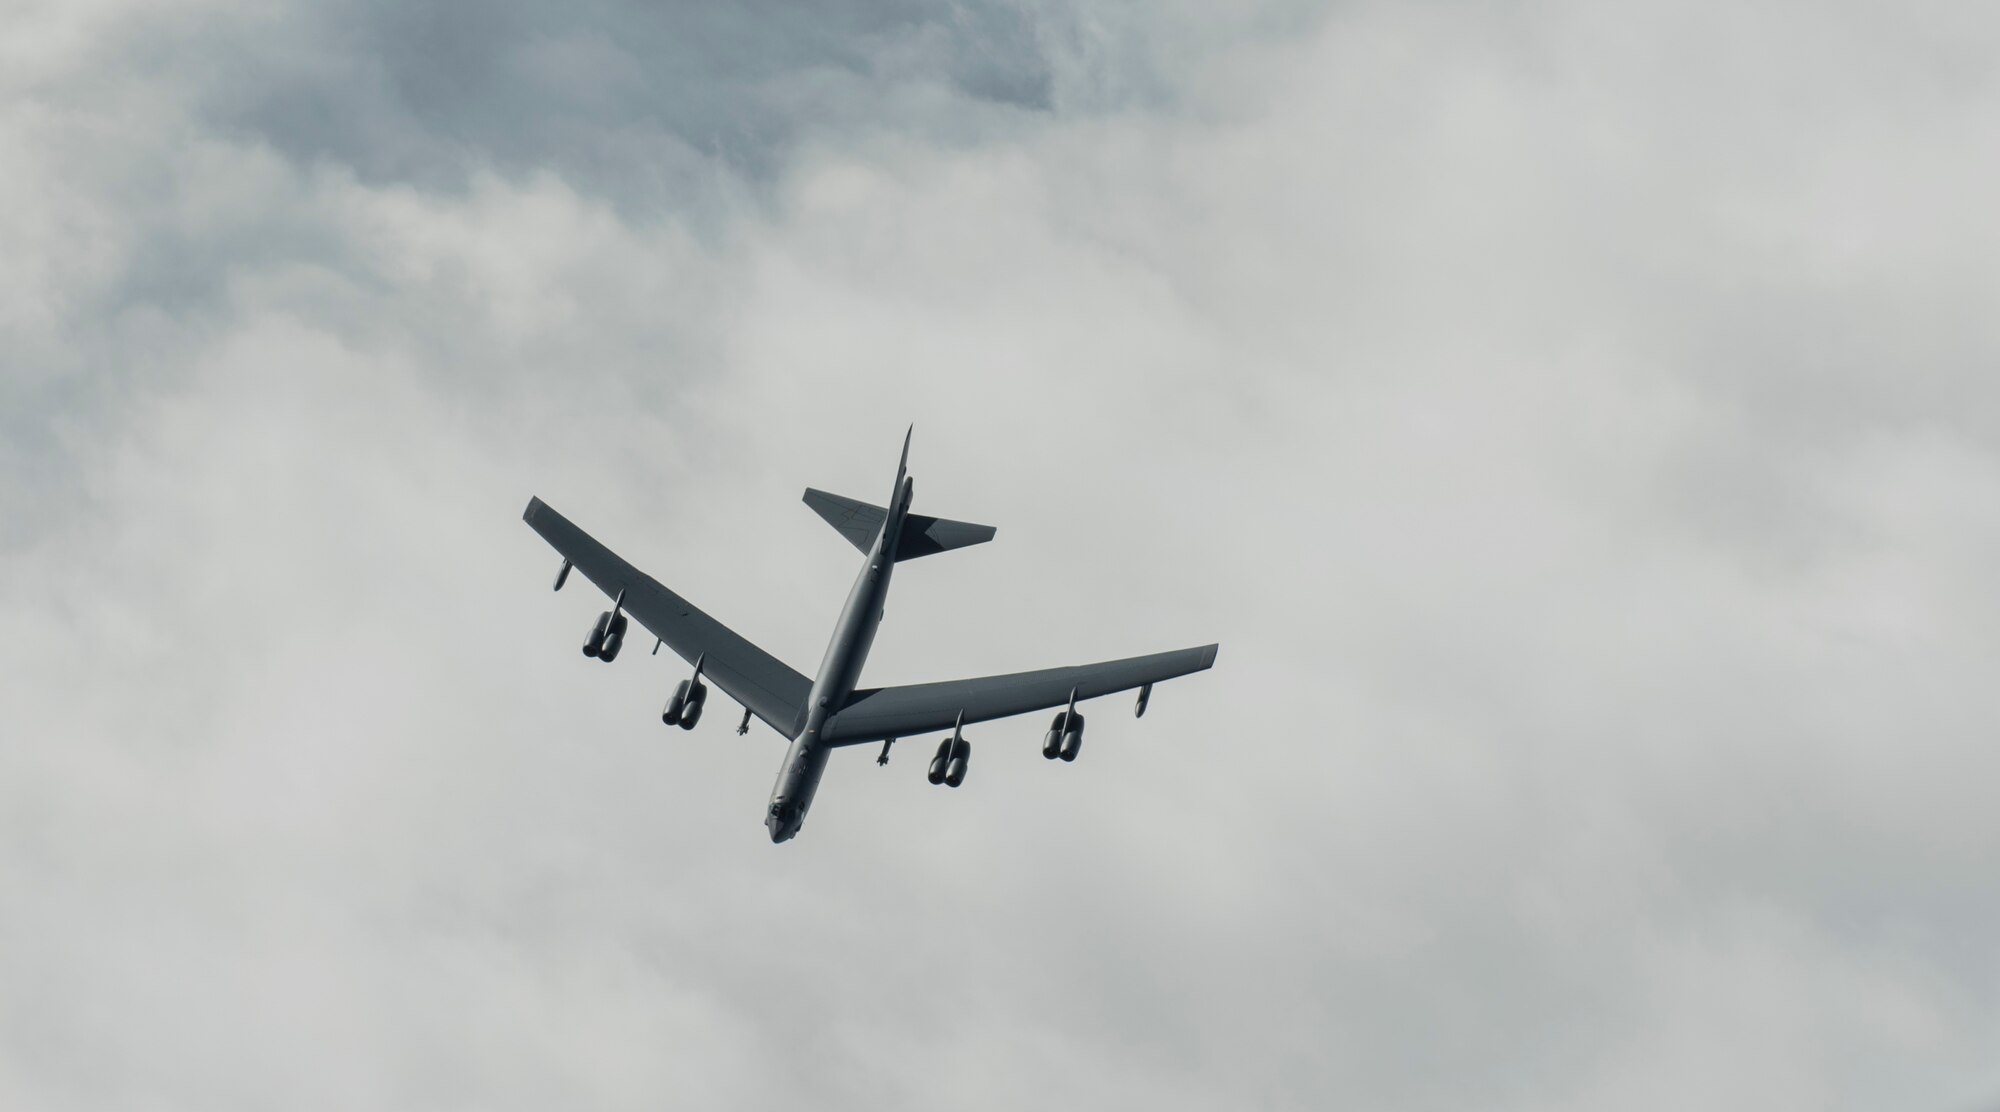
x=831, y=711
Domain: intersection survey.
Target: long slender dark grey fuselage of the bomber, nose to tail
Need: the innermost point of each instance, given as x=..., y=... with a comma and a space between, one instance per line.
x=841, y=671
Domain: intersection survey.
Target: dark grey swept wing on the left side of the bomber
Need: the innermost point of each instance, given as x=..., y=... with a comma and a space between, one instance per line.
x=749, y=675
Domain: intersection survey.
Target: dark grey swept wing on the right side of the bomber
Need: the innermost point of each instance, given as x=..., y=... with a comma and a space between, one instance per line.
x=901, y=713
